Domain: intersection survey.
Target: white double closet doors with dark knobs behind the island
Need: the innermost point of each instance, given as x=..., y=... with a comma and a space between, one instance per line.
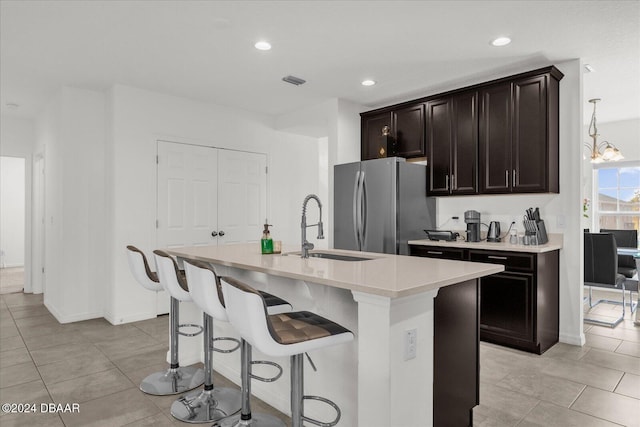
x=208, y=196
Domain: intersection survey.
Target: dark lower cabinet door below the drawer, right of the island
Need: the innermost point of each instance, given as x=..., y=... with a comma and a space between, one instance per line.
x=506, y=302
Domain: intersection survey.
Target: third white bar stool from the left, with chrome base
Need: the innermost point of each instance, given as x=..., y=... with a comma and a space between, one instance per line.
x=205, y=285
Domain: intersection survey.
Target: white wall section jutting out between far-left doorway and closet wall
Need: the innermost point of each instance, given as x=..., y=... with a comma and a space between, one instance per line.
x=71, y=133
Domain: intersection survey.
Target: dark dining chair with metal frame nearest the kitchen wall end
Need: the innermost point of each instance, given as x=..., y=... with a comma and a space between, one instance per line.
x=601, y=271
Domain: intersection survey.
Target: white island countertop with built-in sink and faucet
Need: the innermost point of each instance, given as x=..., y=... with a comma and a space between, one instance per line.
x=386, y=275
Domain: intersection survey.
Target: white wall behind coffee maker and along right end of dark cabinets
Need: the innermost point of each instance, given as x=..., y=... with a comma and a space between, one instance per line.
x=562, y=212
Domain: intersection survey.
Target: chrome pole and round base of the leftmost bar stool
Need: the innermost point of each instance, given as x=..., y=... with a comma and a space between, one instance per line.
x=176, y=379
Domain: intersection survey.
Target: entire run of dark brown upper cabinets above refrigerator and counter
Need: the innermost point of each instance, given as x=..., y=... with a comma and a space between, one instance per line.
x=497, y=137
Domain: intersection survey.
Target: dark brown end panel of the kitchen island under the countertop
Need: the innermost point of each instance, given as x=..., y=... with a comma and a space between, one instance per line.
x=456, y=355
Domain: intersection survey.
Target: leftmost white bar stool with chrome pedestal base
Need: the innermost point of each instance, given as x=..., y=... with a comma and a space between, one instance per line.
x=176, y=379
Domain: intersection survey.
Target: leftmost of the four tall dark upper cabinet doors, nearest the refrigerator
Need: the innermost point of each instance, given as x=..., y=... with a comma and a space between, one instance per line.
x=439, y=146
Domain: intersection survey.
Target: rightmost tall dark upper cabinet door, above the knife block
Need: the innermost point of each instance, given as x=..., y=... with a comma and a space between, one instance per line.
x=529, y=155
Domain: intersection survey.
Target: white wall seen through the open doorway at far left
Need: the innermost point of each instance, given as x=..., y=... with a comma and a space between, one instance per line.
x=12, y=211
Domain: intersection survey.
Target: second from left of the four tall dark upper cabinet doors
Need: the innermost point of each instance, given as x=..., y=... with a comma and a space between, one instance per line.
x=464, y=144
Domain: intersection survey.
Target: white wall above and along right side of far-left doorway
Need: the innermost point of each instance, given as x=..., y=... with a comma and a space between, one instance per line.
x=17, y=138
